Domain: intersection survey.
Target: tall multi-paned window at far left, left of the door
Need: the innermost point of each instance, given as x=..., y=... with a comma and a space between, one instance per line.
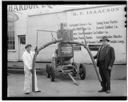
x=11, y=36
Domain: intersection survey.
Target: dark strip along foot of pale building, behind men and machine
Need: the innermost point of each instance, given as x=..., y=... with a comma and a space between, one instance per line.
x=119, y=72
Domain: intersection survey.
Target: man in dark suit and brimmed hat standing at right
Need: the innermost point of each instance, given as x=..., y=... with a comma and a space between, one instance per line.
x=105, y=59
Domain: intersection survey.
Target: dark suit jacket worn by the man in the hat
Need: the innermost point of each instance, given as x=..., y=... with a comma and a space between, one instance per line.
x=108, y=57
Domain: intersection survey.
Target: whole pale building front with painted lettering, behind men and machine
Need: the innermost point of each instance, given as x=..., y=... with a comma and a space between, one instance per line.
x=38, y=24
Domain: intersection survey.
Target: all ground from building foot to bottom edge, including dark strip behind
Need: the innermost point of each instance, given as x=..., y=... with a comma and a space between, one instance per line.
x=63, y=86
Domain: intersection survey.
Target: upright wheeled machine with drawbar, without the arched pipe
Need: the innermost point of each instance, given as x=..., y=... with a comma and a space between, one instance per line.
x=63, y=62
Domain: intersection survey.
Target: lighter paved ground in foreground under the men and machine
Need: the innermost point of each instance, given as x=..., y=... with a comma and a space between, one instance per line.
x=63, y=86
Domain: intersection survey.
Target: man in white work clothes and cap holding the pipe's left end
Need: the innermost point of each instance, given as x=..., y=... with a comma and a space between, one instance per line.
x=27, y=60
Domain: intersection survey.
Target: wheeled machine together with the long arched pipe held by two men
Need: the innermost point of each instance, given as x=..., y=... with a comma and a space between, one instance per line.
x=65, y=53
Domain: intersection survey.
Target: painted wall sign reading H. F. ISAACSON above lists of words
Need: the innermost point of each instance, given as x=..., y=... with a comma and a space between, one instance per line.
x=98, y=22
